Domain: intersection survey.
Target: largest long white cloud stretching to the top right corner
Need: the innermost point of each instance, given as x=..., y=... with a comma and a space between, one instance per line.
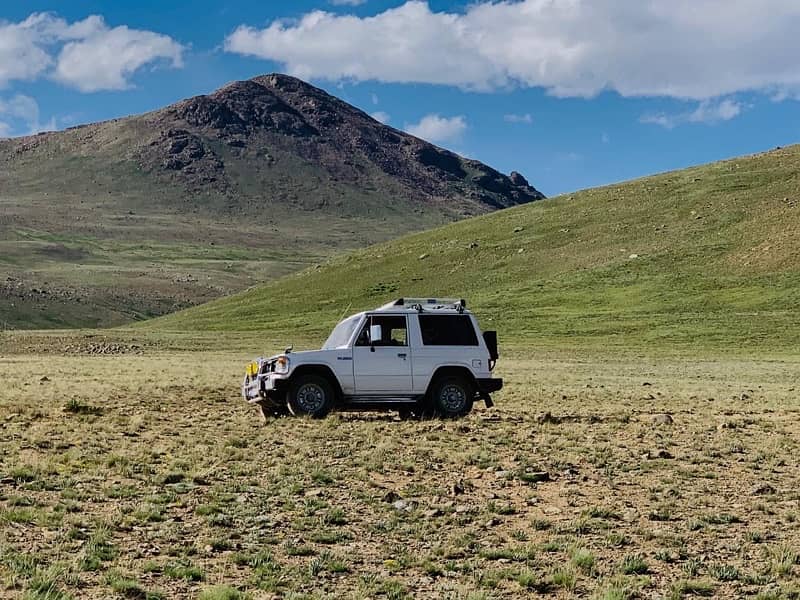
x=695, y=49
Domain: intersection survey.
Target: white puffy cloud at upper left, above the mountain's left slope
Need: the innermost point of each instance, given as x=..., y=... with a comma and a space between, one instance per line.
x=91, y=56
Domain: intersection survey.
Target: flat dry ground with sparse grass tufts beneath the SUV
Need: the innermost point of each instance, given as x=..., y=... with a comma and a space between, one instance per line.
x=144, y=475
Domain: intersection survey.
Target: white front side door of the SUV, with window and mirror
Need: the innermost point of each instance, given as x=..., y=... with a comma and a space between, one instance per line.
x=383, y=366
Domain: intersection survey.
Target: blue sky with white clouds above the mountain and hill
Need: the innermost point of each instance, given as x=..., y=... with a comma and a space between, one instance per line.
x=571, y=93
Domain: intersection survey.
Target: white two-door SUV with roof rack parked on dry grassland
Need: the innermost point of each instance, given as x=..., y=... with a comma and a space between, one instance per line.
x=418, y=356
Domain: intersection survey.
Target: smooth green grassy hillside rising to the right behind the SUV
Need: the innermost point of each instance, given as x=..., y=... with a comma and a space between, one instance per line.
x=708, y=257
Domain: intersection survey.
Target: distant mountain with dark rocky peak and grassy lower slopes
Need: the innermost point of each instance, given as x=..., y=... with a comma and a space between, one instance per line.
x=117, y=221
